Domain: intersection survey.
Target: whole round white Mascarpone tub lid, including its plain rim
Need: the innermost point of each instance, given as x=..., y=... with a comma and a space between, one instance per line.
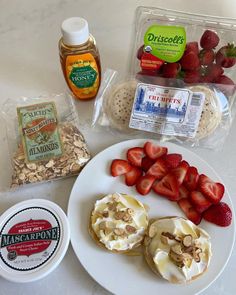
x=34, y=237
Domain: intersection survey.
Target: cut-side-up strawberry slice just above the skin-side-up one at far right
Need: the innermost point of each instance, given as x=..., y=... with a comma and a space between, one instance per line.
x=214, y=191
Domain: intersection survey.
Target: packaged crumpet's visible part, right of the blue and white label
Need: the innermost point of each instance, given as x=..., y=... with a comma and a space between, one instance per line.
x=211, y=112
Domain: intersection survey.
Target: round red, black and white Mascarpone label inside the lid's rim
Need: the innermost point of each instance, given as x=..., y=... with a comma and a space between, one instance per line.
x=29, y=238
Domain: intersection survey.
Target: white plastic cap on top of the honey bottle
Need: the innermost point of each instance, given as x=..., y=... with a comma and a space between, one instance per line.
x=75, y=31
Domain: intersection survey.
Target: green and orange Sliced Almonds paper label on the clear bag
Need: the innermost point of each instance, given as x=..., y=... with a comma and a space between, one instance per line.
x=39, y=131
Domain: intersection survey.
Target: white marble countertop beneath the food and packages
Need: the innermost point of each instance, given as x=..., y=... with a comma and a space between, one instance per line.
x=29, y=66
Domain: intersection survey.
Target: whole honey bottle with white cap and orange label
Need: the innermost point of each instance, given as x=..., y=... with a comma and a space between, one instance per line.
x=80, y=60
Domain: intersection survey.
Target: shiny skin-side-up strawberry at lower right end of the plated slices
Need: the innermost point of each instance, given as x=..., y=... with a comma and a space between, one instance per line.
x=219, y=214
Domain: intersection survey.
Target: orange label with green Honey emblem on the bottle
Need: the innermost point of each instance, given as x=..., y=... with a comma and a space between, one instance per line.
x=82, y=75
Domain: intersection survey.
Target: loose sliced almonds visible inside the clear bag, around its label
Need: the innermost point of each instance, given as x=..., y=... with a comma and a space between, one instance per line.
x=75, y=156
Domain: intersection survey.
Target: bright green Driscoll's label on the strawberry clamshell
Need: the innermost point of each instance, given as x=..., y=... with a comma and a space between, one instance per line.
x=166, y=42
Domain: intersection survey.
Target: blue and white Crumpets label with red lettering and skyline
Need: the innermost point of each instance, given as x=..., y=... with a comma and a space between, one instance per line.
x=166, y=110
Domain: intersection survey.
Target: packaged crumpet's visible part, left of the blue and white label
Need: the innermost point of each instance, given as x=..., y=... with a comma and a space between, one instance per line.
x=118, y=104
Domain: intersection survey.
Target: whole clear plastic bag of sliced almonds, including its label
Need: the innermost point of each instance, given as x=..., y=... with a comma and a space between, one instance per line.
x=44, y=140
